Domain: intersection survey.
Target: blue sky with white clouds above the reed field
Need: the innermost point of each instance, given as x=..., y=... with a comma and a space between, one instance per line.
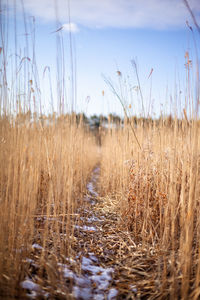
x=106, y=36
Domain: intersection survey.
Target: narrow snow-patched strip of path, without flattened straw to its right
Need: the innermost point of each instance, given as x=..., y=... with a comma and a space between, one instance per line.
x=94, y=280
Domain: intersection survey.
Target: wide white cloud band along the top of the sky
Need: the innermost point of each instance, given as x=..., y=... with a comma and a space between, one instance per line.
x=156, y=14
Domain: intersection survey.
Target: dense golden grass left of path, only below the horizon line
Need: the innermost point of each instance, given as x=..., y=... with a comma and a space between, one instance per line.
x=43, y=175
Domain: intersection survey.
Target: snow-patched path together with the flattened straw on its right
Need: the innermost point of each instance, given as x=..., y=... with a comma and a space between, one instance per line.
x=110, y=264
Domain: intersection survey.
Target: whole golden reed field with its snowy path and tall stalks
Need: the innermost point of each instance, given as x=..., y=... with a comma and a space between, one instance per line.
x=136, y=181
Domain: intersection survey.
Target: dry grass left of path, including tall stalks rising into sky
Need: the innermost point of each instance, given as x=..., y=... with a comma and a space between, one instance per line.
x=45, y=163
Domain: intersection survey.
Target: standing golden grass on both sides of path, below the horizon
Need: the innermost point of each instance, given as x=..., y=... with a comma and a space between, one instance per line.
x=45, y=168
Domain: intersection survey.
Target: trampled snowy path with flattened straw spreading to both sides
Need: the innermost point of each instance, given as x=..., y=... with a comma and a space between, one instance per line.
x=104, y=262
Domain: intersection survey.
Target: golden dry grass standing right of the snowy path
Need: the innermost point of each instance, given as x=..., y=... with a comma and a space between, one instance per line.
x=159, y=197
